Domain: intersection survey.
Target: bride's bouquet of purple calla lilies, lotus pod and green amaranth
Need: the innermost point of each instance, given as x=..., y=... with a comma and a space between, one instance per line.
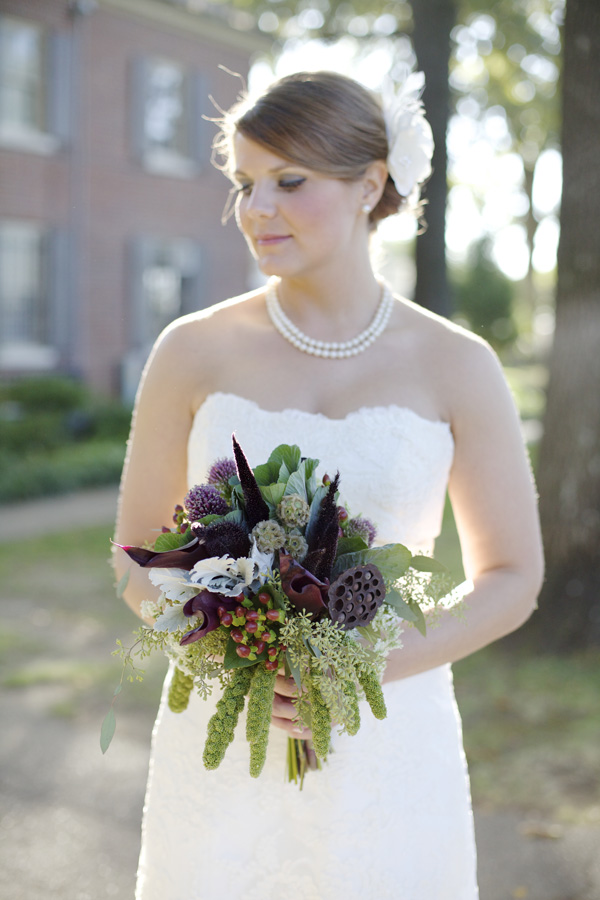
x=264, y=570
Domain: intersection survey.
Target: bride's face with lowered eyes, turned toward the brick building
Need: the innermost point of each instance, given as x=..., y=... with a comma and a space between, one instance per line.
x=294, y=219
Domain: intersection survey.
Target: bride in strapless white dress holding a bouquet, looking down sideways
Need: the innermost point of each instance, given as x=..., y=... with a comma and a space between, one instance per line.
x=404, y=403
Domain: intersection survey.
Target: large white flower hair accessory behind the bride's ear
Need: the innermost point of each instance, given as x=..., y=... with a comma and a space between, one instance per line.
x=410, y=139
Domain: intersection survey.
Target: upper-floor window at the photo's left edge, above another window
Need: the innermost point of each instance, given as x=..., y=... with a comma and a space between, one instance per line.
x=34, y=86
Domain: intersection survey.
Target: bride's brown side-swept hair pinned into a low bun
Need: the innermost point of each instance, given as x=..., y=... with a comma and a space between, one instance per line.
x=321, y=120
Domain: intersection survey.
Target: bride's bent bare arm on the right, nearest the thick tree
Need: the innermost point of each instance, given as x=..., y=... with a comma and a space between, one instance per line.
x=493, y=498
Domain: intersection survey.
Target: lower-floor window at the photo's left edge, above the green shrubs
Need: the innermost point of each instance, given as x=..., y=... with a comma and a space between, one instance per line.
x=26, y=317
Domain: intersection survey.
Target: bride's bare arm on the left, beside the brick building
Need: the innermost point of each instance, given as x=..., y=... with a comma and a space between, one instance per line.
x=154, y=475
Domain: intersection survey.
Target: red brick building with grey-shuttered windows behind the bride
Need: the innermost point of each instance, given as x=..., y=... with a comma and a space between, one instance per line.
x=109, y=206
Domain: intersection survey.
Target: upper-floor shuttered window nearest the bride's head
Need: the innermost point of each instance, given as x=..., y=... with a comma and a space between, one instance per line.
x=169, y=133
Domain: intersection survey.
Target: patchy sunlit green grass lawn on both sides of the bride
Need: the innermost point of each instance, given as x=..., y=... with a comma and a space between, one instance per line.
x=531, y=725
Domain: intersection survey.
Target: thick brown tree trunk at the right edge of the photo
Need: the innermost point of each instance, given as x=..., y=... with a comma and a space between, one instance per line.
x=569, y=468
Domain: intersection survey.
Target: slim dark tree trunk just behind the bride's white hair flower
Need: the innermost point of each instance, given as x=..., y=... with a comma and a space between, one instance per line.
x=434, y=20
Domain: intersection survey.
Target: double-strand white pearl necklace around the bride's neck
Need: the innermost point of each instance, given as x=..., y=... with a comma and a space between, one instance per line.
x=329, y=349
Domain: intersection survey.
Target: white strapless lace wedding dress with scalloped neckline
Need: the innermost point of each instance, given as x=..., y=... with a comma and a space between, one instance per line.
x=389, y=816
